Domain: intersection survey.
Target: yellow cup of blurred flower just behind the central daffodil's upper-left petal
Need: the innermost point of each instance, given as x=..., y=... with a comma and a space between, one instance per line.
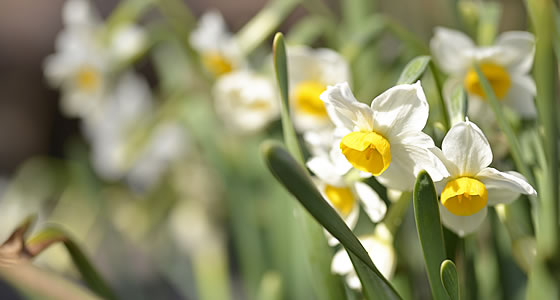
x=306, y=95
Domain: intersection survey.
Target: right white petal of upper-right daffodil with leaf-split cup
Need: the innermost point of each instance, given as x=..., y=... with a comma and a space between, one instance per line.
x=520, y=50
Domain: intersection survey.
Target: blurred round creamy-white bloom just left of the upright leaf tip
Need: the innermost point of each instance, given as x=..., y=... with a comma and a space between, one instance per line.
x=245, y=101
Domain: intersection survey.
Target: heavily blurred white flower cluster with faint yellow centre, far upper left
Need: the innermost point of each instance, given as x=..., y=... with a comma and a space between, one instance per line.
x=83, y=63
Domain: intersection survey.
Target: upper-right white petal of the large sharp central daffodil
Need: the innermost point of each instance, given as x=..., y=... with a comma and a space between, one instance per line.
x=402, y=108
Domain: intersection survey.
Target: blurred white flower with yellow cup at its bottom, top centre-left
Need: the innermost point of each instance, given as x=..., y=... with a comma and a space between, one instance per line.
x=217, y=47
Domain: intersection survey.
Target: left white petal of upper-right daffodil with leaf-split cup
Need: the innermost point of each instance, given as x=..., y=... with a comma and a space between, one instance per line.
x=448, y=48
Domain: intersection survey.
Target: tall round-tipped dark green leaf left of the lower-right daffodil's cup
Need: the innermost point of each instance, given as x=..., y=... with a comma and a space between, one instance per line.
x=428, y=224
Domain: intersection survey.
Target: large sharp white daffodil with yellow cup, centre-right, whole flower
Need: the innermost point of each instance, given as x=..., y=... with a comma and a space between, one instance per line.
x=385, y=139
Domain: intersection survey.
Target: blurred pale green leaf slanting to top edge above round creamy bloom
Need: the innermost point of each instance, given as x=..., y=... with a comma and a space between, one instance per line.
x=262, y=25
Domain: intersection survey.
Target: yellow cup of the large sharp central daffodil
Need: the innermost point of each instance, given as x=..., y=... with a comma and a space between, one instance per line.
x=367, y=151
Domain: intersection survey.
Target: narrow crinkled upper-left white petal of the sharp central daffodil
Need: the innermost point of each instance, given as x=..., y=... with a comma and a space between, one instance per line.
x=344, y=110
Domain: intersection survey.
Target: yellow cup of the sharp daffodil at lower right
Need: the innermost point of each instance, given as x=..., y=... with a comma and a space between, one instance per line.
x=464, y=196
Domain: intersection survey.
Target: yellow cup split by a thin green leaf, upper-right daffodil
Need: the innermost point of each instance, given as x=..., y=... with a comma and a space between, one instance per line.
x=497, y=76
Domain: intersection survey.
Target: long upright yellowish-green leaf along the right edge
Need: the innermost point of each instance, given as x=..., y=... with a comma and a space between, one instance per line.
x=542, y=15
